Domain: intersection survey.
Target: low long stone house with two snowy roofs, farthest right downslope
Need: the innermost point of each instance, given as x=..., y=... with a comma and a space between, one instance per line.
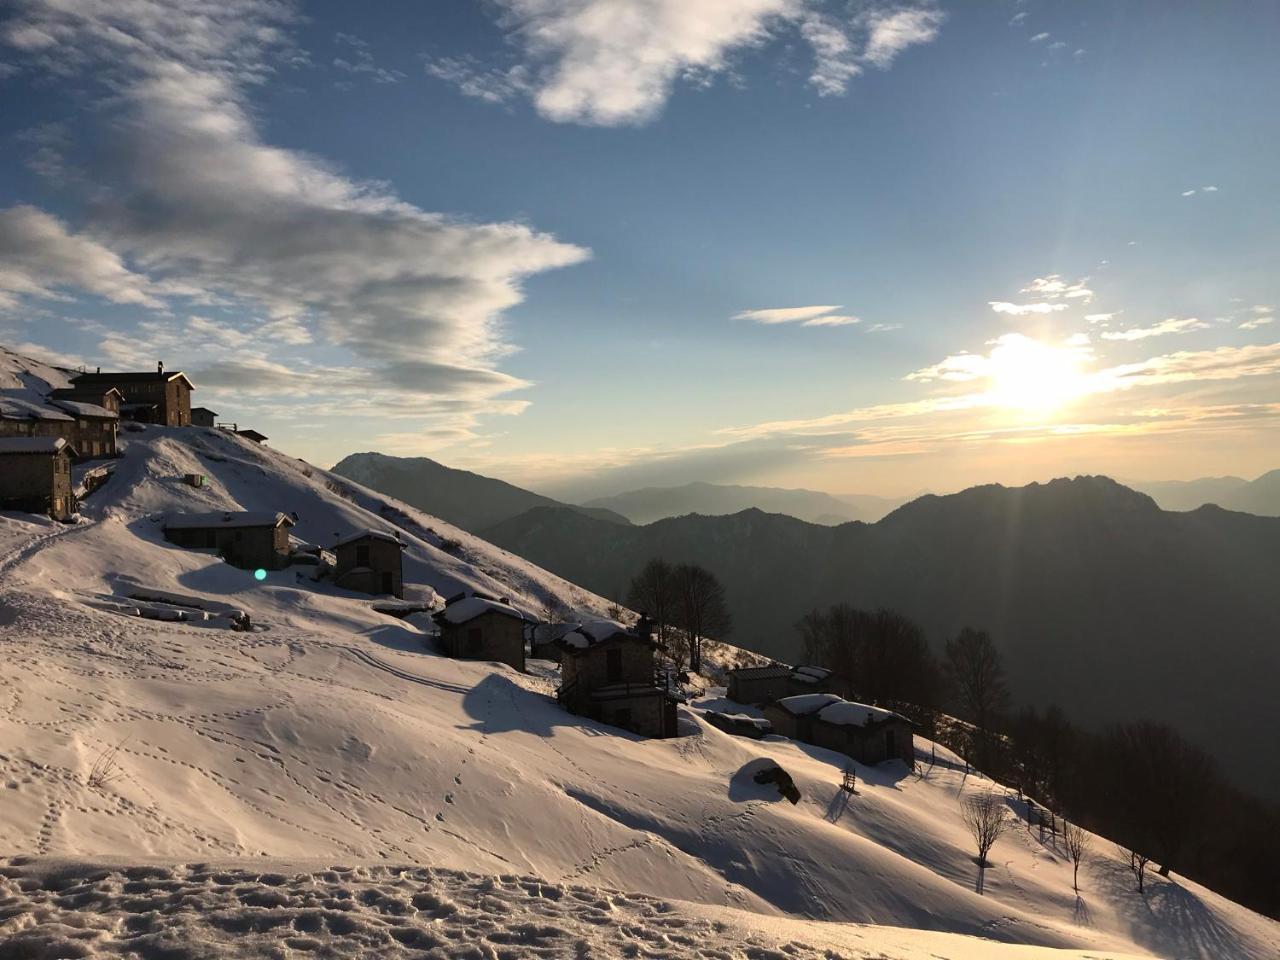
x=861, y=732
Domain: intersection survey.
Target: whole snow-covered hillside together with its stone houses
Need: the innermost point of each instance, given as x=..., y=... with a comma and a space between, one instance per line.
x=218, y=655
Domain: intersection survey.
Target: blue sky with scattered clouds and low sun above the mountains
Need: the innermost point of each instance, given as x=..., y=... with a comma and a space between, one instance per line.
x=595, y=245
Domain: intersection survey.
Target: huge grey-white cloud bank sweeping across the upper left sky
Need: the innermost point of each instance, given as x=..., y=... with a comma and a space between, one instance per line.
x=200, y=205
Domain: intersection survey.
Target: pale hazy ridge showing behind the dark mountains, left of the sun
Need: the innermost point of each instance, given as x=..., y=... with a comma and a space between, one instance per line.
x=719, y=500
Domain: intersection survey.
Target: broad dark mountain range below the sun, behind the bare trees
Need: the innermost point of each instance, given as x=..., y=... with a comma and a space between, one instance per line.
x=1100, y=601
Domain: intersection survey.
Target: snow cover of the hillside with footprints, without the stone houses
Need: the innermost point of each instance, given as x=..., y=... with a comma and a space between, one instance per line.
x=330, y=784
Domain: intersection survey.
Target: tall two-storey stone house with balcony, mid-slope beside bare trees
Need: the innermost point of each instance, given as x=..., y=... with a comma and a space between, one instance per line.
x=609, y=674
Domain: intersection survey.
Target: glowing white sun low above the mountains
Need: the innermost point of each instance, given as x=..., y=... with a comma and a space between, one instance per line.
x=1036, y=378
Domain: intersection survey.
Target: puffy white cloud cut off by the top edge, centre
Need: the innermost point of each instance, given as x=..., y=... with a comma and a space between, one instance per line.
x=616, y=62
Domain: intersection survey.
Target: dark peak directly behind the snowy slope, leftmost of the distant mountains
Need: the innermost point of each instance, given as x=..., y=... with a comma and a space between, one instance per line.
x=460, y=497
